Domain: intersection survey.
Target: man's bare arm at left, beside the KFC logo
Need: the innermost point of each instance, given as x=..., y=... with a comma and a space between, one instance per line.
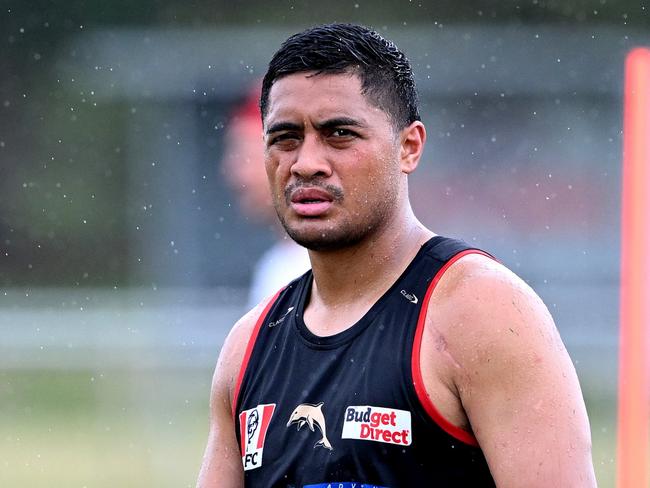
x=222, y=466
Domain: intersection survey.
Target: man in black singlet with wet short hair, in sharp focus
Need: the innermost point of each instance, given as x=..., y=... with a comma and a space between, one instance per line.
x=403, y=358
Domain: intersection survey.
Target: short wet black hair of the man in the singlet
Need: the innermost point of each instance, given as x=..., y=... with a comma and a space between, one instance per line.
x=384, y=71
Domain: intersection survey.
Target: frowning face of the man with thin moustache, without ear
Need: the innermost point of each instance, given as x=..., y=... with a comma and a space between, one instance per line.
x=331, y=159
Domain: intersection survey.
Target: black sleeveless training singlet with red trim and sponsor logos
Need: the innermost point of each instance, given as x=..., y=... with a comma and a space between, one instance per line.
x=350, y=410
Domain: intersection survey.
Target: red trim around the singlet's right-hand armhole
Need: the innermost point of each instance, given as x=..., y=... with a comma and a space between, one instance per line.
x=418, y=383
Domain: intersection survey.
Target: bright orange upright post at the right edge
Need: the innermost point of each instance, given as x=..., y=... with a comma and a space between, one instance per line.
x=634, y=350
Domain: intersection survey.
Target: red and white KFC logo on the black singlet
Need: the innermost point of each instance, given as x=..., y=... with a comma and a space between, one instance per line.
x=253, y=425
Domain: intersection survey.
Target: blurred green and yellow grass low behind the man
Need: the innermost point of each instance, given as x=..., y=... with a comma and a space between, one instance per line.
x=142, y=428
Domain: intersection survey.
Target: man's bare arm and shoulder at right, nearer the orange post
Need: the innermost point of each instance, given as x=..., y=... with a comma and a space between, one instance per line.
x=514, y=379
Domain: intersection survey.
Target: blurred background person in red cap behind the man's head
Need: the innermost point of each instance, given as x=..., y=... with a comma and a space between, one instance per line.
x=243, y=167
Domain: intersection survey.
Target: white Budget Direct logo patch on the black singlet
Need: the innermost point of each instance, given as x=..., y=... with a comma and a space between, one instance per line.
x=378, y=424
